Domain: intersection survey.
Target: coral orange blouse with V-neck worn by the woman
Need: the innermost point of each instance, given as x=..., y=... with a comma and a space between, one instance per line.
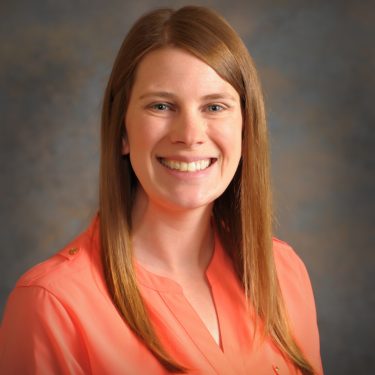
x=60, y=319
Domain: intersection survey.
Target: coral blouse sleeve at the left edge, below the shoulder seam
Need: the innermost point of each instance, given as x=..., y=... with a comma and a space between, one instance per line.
x=38, y=336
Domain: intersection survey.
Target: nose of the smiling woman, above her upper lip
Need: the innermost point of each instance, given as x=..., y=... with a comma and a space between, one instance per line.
x=188, y=128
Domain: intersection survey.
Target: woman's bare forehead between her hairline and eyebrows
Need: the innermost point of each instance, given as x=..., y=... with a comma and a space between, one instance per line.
x=178, y=70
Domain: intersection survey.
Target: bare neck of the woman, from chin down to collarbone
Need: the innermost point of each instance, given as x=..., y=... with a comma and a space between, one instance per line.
x=171, y=242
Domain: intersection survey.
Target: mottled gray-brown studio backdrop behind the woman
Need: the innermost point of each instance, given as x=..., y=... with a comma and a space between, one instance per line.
x=316, y=60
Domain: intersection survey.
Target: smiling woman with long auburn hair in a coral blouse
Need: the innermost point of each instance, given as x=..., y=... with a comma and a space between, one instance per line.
x=179, y=272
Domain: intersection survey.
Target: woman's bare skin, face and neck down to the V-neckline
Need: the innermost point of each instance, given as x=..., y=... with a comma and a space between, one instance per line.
x=181, y=115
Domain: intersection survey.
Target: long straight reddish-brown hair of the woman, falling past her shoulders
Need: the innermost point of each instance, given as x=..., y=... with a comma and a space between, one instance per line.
x=242, y=214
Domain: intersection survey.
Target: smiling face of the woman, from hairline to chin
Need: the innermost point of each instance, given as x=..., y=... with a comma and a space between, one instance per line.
x=183, y=126
